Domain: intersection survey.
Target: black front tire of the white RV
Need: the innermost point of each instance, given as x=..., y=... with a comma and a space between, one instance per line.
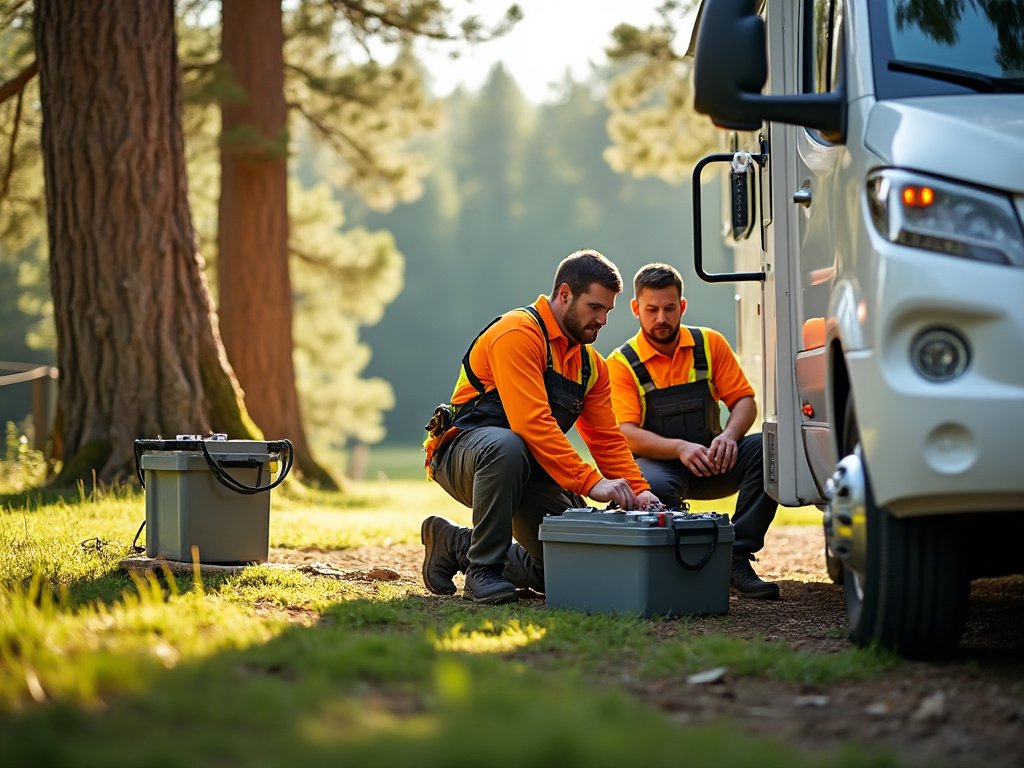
x=913, y=595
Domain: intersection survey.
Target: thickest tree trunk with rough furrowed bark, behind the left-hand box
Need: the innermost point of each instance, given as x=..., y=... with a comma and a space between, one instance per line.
x=138, y=343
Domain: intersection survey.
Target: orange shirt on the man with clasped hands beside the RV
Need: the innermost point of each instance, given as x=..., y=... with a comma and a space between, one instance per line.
x=729, y=383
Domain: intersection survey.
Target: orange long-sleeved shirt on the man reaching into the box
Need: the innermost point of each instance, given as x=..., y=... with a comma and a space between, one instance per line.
x=513, y=357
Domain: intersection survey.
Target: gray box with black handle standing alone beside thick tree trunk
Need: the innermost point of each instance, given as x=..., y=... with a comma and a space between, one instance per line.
x=211, y=495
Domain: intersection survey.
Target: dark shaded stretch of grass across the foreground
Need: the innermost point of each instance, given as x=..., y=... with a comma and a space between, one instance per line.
x=370, y=684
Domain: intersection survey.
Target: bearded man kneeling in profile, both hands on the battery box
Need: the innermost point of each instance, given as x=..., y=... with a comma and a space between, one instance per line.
x=500, y=447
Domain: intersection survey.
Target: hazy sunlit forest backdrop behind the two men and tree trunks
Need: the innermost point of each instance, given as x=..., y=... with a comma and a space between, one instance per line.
x=493, y=192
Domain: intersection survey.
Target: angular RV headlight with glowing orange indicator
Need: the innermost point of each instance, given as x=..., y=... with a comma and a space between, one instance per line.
x=937, y=216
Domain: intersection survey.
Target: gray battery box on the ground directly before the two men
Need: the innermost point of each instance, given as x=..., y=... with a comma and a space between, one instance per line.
x=668, y=564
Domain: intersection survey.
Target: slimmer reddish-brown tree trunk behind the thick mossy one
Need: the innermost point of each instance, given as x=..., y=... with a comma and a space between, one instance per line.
x=255, y=288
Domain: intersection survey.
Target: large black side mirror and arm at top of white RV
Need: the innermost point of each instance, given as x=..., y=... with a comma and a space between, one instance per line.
x=731, y=70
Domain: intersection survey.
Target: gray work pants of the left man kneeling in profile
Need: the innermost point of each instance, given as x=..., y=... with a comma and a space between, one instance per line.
x=491, y=471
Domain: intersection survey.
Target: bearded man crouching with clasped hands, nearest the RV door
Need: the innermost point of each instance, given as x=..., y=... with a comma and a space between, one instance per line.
x=667, y=383
